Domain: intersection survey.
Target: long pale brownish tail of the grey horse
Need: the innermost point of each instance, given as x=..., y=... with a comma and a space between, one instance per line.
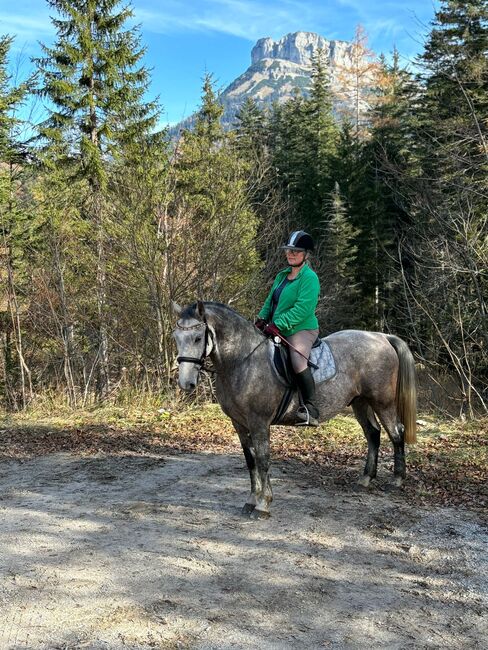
x=406, y=394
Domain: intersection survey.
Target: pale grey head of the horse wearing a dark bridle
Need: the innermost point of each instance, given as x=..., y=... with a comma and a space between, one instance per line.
x=193, y=341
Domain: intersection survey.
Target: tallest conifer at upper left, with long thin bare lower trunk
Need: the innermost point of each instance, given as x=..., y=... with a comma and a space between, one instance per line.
x=93, y=77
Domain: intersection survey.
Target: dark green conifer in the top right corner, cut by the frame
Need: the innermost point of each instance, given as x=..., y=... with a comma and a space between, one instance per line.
x=454, y=108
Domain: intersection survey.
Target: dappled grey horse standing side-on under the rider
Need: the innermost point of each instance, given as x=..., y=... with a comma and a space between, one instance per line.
x=375, y=375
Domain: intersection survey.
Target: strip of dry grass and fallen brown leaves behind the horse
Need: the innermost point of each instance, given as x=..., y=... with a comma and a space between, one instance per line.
x=447, y=466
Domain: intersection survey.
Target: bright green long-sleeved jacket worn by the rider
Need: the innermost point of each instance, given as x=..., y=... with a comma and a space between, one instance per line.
x=298, y=300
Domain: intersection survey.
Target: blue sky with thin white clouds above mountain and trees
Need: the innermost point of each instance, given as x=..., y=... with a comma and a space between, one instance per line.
x=186, y=38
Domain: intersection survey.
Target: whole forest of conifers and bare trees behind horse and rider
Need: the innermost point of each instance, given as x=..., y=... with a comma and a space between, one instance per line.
x=105, y=219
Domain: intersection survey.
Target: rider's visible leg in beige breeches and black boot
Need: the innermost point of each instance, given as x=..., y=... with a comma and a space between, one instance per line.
x=303, y=342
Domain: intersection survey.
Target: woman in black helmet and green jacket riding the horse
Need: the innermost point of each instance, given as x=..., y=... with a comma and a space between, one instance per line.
x=289, y=310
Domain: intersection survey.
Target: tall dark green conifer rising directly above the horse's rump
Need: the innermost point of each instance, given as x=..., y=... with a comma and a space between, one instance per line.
x=391, y=165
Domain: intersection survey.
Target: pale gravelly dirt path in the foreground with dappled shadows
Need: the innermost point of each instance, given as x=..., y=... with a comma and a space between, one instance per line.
x=113, y=552
